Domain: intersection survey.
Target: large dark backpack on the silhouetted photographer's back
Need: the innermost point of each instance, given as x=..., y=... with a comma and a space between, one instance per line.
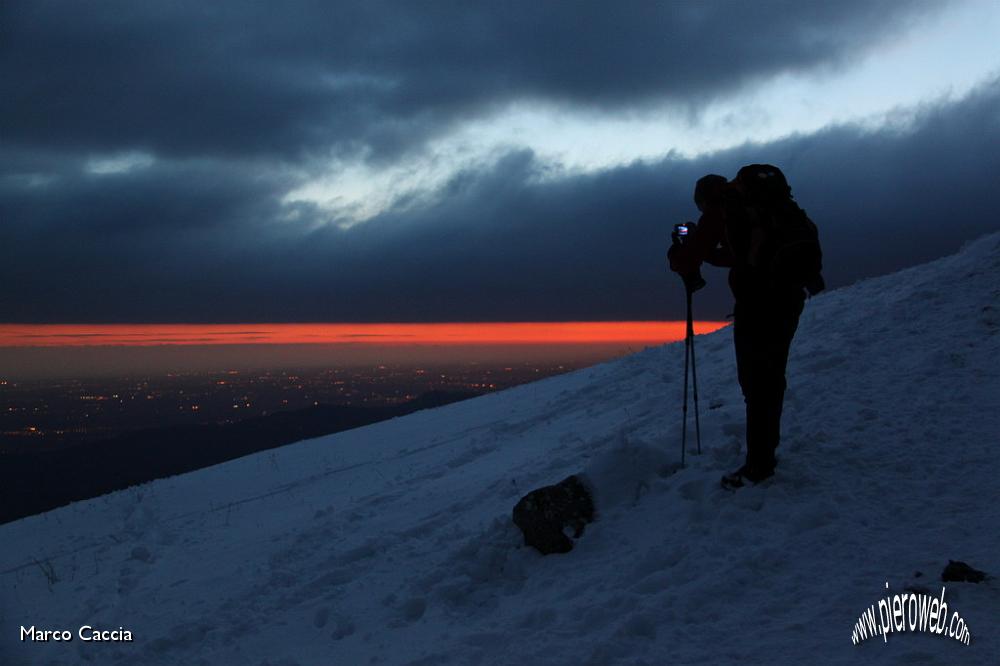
x=783, y=242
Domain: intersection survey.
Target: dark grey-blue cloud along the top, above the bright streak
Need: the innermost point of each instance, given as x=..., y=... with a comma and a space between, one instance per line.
x=285, y=79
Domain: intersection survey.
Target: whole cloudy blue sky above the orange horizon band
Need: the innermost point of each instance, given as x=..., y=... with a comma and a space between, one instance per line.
x=467, y=161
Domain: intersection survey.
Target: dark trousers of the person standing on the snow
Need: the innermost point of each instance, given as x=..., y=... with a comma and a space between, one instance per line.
x=762, y=332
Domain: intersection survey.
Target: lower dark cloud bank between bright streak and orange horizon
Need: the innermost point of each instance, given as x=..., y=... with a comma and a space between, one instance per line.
x=498, y=244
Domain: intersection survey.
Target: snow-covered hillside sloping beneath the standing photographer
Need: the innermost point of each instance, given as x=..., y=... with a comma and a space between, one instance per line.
x=394, y=543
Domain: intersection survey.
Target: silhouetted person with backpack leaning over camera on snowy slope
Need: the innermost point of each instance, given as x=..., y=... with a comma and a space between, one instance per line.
x=753, y=226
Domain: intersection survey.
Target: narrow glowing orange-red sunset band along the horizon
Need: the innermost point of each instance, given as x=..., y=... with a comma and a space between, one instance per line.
x=507, y=333
